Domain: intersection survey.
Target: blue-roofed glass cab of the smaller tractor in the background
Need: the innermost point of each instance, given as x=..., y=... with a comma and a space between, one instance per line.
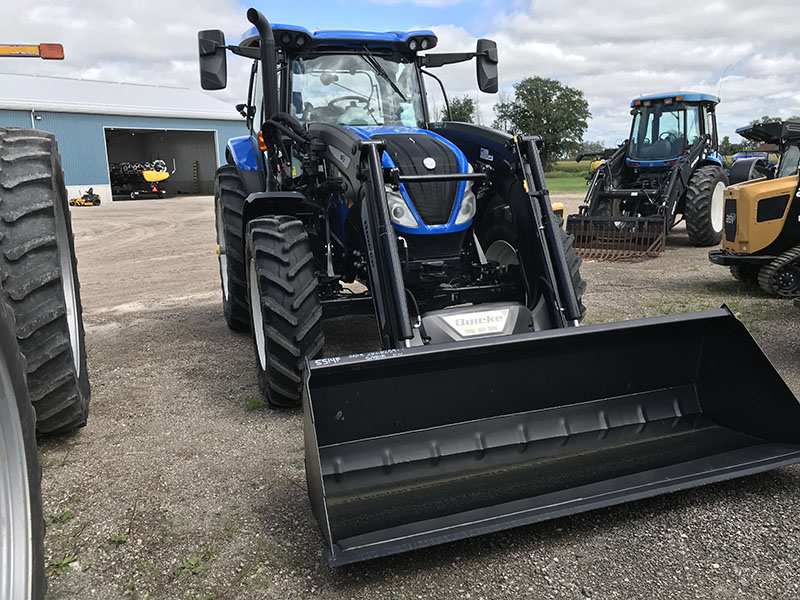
x=665, y=126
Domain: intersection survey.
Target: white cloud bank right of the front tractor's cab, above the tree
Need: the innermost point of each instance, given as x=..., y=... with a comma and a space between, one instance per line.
x=615, y=51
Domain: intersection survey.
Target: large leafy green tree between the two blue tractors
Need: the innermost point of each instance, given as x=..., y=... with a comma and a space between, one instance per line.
x=545, y=107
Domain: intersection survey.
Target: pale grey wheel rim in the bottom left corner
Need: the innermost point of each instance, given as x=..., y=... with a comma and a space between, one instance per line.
x=16, y=533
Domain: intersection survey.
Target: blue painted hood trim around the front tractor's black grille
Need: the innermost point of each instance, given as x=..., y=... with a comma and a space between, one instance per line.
x=386, y=160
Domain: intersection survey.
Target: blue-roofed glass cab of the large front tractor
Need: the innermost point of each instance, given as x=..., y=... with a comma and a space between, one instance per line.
x=349, y=78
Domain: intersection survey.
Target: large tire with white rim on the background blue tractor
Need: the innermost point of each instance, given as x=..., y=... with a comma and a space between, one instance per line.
x=704, y=206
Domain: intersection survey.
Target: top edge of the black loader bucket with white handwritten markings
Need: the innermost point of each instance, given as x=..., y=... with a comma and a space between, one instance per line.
x=365, y=359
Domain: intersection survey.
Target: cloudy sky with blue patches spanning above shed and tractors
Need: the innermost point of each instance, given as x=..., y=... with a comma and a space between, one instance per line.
x=612, y=50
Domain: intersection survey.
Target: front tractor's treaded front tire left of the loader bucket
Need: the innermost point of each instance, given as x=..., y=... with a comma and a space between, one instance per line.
x=285, y=305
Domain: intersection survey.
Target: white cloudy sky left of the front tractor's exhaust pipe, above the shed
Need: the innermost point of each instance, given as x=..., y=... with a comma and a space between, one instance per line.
x=148, y=41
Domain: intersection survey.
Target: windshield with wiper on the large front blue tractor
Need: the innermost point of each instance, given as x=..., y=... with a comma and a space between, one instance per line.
x=356, y=89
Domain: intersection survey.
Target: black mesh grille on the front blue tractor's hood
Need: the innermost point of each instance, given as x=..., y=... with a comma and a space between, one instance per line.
x=433, y=201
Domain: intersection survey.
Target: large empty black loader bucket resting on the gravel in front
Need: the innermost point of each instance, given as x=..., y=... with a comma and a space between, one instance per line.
x=409, y=448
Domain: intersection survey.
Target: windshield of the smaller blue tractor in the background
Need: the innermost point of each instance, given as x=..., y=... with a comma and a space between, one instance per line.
x=662, y=131
